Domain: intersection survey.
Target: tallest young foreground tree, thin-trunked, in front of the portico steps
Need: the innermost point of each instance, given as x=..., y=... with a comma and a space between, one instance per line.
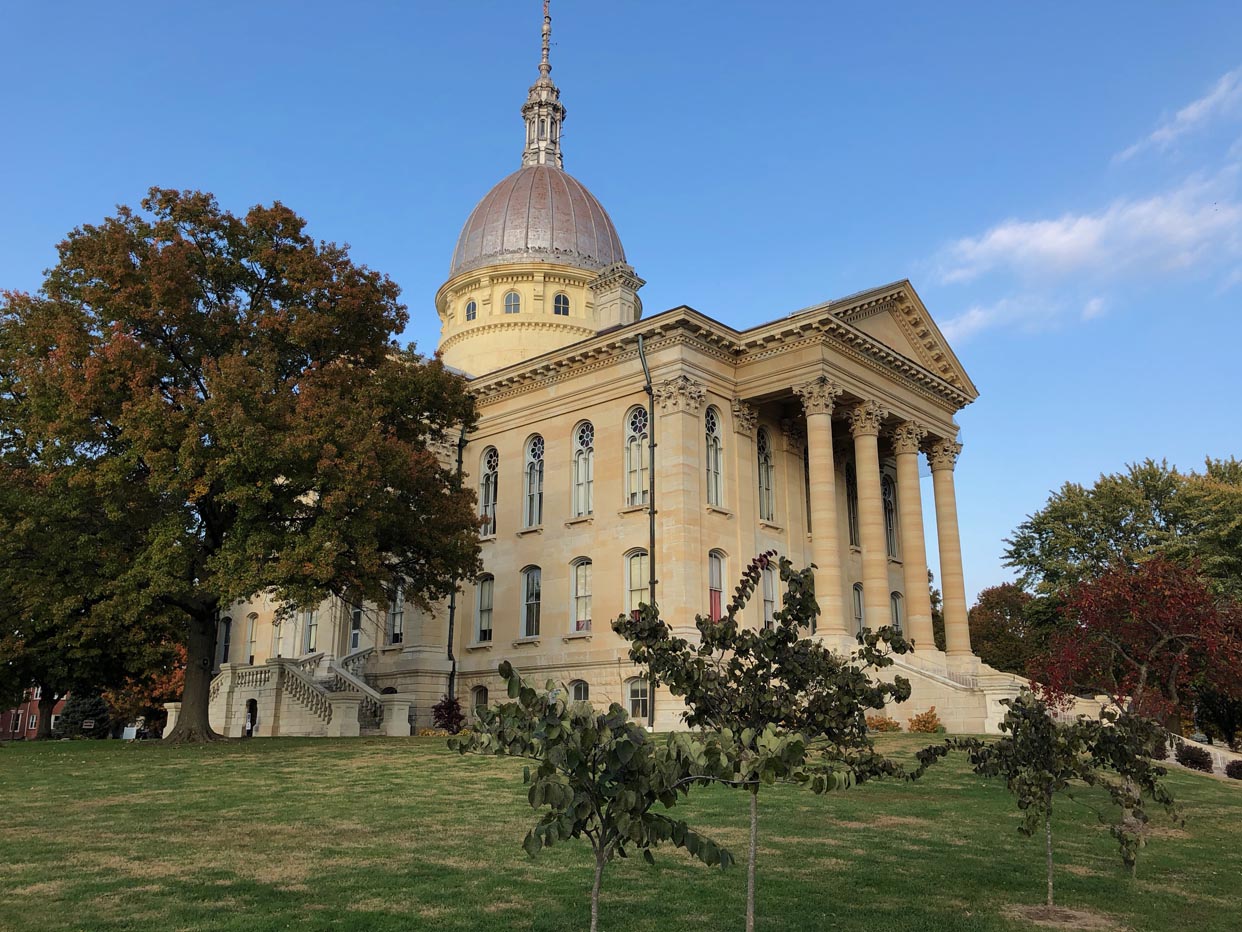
x=787, y=708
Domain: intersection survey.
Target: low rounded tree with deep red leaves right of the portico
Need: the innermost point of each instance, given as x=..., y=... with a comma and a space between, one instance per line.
x=1141, y=634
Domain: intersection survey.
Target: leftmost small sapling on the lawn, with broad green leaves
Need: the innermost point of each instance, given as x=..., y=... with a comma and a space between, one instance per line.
x=601, y=776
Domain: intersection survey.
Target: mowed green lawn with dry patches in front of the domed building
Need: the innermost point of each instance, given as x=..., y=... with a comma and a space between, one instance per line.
x=404, y=834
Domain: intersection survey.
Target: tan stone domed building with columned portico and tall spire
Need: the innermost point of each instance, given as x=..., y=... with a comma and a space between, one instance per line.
x=805, y=436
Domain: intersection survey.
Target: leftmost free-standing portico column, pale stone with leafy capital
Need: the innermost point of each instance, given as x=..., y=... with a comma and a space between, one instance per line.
x=819, y=398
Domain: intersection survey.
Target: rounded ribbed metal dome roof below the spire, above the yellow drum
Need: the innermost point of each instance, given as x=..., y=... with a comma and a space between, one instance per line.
x=538, y=214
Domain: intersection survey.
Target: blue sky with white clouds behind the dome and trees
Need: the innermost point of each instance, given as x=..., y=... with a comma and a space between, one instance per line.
x=1060, y=181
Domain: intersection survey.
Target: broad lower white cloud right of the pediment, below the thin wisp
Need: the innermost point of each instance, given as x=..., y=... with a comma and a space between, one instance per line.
x=1169, y=232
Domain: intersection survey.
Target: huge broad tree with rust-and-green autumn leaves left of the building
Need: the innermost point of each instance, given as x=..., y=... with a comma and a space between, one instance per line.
x=227, y=396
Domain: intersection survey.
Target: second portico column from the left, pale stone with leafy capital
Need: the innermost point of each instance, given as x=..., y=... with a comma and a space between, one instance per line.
x=865, y=423
